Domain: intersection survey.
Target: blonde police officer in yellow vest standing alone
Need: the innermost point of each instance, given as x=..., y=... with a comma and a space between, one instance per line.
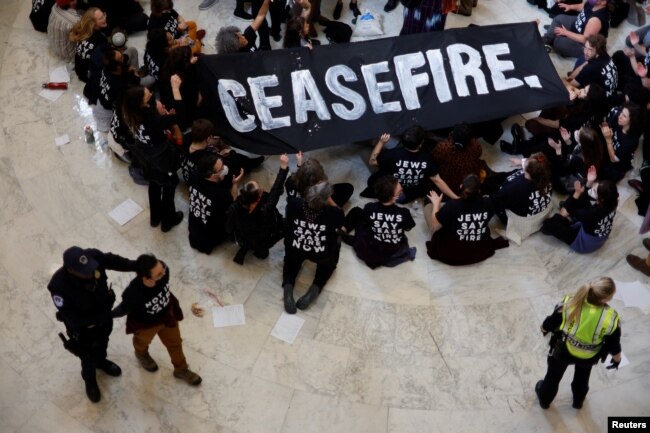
x=585, y=329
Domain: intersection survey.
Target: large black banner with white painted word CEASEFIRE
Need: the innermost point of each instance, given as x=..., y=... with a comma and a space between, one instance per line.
x=299, y=99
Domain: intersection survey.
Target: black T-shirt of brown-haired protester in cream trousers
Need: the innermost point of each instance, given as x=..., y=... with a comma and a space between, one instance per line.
x=520, y=196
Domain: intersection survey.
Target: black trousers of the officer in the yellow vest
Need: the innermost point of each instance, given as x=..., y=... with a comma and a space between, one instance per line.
x=554, y=373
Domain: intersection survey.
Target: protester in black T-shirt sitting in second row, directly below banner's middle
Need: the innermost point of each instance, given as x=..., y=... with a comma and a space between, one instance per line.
x=408, y=163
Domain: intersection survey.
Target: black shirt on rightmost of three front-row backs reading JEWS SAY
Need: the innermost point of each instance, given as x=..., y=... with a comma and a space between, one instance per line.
x=467, y=219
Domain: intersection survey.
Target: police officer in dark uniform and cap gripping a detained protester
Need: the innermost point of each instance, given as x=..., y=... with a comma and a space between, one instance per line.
x=84, y=300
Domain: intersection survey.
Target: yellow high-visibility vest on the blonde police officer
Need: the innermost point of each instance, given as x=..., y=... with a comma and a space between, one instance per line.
x=584, y=336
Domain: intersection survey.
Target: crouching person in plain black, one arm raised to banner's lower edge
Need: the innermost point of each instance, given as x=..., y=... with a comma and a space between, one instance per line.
x=254, y=219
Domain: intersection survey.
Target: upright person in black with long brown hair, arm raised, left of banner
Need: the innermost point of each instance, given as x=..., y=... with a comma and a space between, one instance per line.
x=149, y=121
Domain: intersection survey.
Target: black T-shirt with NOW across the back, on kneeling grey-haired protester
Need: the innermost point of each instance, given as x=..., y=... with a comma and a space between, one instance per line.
x=312, y=235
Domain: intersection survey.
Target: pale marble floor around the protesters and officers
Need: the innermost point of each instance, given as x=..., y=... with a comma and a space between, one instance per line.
x=419, y=348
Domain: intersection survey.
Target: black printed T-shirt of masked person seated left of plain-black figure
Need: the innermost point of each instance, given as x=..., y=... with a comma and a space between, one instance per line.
x=209, y=202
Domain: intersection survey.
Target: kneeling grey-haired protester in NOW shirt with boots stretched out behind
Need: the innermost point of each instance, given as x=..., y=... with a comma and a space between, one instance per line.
x=312, y=222
